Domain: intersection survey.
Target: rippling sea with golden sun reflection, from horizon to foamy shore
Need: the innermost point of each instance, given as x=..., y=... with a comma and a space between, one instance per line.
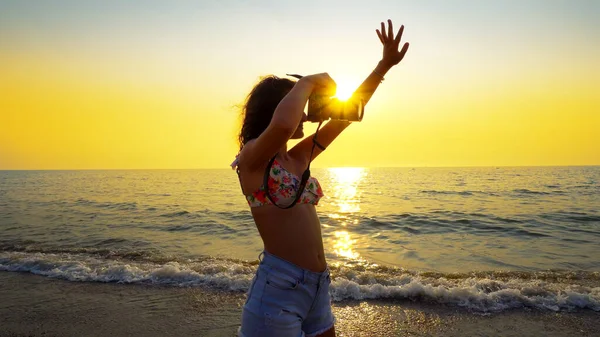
x=484, y=238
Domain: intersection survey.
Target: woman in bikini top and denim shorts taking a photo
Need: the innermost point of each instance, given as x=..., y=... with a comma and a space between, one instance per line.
x=289, y=296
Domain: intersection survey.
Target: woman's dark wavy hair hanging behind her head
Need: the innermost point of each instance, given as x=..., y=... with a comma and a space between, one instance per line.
x=260, y=105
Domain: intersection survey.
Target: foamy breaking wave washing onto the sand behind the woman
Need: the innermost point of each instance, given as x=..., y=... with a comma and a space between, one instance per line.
x=478, y=291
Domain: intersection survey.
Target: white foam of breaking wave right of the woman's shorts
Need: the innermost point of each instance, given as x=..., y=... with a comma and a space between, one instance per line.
x=479, y=294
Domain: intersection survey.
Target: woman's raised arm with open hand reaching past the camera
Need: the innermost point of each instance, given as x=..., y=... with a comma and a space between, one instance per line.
x=392, y=55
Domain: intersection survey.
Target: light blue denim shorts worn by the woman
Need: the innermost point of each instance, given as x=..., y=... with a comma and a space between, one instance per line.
x=286, y=300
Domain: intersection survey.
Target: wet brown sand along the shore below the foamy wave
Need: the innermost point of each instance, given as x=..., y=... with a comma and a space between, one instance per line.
x=32, y=305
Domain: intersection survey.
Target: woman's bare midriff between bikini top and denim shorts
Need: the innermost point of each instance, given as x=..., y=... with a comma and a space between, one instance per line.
x=292, y=234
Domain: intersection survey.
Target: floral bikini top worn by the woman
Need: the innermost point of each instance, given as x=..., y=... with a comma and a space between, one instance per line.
x=282, y=187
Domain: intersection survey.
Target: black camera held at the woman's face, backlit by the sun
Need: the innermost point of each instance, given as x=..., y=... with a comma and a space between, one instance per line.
x=321, y=108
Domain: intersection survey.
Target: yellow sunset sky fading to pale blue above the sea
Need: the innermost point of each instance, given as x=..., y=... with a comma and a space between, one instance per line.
x=158, y=84
